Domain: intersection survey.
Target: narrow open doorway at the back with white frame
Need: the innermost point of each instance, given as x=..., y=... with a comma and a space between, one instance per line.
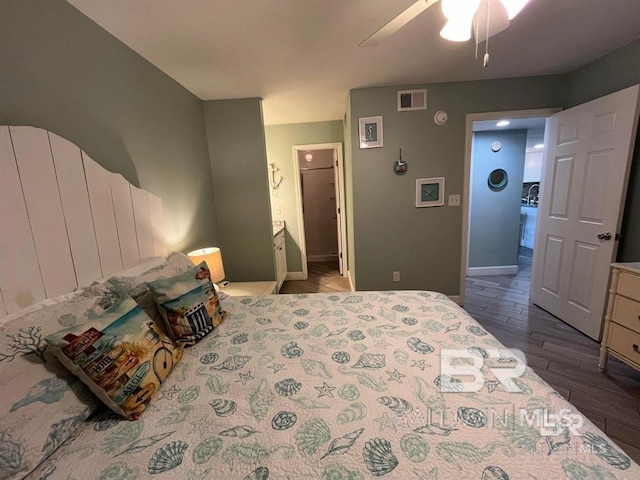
x=320, y=190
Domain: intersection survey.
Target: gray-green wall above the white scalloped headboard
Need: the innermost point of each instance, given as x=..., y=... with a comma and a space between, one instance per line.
x=62, y=72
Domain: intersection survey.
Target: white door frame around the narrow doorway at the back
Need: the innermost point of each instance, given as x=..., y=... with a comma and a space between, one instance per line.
x=340, y=200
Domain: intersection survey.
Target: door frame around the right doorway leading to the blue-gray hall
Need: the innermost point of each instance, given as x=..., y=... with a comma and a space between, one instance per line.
x=466, y=203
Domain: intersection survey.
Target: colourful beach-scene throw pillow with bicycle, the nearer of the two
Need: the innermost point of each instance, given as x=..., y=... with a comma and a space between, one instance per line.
x=122, y=356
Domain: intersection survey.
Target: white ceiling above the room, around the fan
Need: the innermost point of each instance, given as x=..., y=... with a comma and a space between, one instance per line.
x=302, y=56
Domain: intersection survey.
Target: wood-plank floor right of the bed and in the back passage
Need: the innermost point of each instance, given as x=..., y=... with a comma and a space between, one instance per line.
x=564, y=357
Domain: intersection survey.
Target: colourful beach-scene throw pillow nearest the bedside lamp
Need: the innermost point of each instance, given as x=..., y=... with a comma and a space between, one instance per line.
x=188, y=304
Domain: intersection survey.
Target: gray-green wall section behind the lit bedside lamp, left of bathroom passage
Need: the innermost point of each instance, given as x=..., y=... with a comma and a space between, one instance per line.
x=235, y=132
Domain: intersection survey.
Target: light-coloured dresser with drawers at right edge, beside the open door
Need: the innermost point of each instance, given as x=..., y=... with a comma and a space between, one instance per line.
x=622, y=321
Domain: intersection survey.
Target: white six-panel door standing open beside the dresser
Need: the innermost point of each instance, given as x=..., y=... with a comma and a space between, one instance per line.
x=585, y=175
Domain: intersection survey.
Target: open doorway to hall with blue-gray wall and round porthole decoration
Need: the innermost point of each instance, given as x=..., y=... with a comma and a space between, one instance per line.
x=501, y=190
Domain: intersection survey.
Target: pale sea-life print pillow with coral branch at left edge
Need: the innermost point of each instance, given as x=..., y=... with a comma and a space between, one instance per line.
x=41, y=404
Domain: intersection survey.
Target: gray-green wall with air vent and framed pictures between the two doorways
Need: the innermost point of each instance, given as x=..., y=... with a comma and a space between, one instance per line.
x=389, y=233
